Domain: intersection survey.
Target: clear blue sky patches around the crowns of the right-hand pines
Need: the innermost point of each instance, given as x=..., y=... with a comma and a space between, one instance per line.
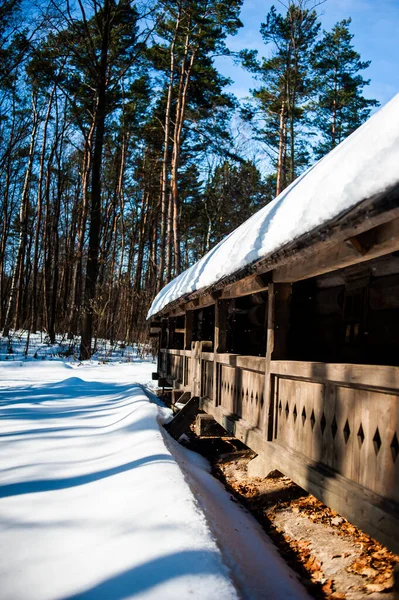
x=375, y=25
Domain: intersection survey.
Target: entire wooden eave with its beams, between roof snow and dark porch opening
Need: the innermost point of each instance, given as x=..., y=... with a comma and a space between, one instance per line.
x=335, y=244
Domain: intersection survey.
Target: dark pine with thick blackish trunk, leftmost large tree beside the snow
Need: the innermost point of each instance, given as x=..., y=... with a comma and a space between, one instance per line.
x=101, y=46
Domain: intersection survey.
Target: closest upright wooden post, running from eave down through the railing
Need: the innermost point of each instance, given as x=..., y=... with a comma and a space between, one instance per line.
x=277, y=341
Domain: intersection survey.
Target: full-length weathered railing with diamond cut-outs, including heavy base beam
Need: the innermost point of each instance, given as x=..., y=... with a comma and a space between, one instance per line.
x=332, y=428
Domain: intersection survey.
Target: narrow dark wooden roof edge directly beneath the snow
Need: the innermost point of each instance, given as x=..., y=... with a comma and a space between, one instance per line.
x=366, y=215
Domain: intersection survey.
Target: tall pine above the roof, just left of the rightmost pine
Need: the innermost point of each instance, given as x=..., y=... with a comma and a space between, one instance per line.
x=282, y=100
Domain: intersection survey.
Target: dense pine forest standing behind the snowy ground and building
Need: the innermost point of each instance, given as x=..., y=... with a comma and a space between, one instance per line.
x=125, y=155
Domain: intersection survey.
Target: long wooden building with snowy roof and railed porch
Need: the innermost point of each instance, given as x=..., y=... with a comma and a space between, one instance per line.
x=295, y=349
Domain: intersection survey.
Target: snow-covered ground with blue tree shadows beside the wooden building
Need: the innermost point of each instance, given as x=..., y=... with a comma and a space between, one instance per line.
x=97, y=502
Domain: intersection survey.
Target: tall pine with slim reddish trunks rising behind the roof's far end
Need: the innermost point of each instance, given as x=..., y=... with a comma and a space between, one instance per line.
x=192, y=32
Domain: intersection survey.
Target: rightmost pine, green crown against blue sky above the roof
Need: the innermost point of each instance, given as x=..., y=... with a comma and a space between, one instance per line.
x=341, y=106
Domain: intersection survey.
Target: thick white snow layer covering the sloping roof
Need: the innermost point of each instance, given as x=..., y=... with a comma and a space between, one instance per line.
x=363, y=165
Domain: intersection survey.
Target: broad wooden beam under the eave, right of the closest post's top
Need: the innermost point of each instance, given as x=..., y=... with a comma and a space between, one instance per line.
x=376, y=242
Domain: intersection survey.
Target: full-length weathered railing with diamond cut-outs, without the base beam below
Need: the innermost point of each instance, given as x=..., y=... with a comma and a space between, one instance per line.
x=345, y=417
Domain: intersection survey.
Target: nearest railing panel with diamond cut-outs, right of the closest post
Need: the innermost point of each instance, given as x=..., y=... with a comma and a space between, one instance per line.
x=345, y=417
